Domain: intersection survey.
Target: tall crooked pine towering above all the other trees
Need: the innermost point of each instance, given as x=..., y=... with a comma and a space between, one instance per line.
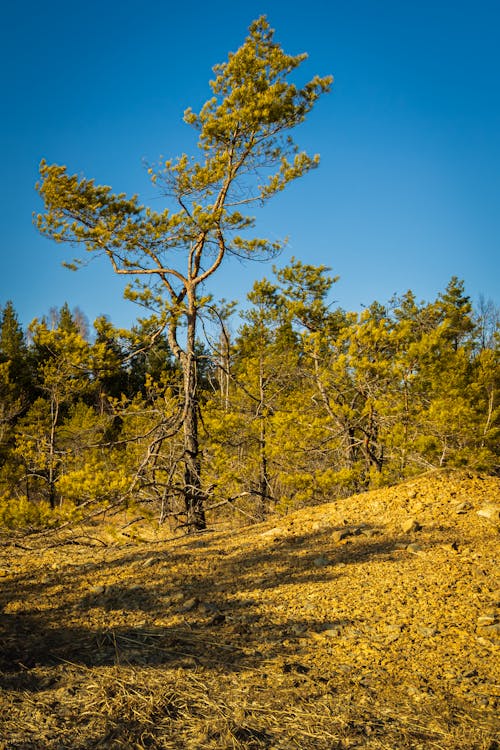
x=245, y=150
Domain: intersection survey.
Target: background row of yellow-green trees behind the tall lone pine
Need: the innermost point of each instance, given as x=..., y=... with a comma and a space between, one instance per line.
x=300, y=404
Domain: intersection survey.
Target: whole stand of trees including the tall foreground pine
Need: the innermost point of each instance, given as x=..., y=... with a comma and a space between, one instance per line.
x=218, y=407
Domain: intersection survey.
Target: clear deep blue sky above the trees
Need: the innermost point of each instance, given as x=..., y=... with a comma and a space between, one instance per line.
x=408, y=191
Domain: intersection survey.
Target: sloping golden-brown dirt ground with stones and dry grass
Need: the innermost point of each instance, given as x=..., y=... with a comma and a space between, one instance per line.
x=371, y=622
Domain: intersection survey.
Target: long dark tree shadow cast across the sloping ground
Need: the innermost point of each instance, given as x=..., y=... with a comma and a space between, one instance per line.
x=207, y=593
